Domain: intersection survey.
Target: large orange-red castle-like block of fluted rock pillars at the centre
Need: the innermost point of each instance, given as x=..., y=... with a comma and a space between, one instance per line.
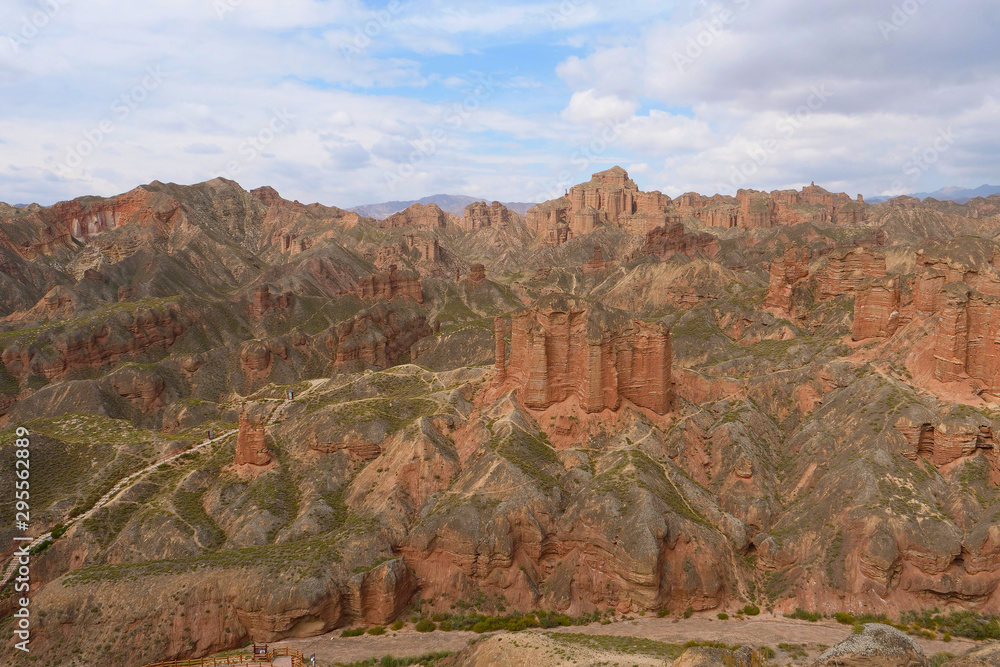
x=567, y=346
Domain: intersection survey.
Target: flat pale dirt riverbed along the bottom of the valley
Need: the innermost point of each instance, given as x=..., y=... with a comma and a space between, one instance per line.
x=760, y=631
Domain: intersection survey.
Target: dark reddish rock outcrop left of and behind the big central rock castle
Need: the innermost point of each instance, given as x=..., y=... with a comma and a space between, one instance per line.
x=379, y=335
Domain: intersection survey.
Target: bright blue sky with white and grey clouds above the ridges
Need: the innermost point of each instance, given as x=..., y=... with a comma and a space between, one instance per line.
x=348, y=102
